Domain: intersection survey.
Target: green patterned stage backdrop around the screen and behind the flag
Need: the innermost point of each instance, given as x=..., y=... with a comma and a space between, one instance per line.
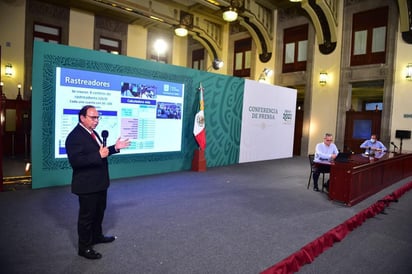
x=223, y=97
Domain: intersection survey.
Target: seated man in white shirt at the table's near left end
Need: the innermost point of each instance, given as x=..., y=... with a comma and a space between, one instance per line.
x=325, y=153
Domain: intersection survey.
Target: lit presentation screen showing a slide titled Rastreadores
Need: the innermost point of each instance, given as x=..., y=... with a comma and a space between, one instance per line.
x=148, y=112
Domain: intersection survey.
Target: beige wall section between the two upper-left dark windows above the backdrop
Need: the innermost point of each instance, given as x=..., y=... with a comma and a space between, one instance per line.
x=81, y=29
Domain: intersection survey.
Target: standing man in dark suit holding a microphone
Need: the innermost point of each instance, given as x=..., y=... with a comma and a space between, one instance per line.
x=90, y=179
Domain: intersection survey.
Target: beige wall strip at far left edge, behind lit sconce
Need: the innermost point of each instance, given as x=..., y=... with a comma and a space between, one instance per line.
x=12, y=26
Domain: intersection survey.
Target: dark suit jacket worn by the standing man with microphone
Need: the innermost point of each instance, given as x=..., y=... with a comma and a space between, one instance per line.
x=90, y=171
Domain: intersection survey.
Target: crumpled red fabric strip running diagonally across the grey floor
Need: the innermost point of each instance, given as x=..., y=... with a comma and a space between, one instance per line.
x=309, y=252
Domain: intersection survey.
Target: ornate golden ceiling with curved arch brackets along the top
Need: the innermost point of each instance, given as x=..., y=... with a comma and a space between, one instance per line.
x=206, y=15
